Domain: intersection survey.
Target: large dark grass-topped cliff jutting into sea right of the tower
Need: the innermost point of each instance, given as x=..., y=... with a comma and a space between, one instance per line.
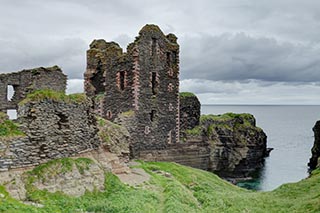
x=237, y=146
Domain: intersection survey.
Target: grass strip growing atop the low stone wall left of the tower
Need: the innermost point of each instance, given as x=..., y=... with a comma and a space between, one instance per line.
x=40, y=95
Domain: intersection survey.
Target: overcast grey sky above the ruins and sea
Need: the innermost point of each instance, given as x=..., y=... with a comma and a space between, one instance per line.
x=231, y=51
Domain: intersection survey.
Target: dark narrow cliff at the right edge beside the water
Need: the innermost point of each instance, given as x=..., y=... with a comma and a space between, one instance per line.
x=315, y=159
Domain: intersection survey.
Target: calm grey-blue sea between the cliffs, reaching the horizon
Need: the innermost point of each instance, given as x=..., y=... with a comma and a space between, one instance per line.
x=289, y=131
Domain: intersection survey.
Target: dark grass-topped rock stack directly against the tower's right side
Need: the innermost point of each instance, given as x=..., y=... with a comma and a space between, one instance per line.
x=189, y=111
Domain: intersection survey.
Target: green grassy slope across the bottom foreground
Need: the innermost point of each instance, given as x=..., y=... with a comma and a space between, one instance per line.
x=175, y=188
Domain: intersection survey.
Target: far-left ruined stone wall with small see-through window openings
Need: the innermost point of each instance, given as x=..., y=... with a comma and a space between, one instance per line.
x=27, y=81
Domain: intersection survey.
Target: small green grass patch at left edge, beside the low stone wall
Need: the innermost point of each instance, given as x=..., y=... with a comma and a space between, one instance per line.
x=8, y=128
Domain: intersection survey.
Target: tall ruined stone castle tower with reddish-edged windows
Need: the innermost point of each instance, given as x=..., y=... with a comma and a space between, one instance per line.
x=143, y=82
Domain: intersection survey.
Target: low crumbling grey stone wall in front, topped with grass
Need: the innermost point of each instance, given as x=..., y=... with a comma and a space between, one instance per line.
x=54, y=129
